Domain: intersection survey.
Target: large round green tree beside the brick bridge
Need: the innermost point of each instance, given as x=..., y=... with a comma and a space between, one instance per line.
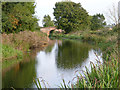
x=70, y=16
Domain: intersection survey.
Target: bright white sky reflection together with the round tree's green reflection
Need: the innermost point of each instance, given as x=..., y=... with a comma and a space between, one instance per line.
x=63, y=60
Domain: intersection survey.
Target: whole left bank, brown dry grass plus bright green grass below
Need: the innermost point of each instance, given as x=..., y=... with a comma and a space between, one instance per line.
x=15, y=44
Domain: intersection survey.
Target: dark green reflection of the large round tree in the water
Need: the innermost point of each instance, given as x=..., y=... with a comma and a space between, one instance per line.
x=71, y=54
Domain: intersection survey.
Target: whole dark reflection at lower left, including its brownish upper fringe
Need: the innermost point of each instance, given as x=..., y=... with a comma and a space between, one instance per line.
x=20, y=75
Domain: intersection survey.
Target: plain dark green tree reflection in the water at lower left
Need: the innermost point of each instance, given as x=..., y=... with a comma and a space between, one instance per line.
x=22, y=78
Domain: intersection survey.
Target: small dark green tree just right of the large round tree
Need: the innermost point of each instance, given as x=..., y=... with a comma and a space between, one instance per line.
x=97, y=22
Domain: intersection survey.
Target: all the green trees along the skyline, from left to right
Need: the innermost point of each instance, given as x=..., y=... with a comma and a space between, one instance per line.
x=69, y=16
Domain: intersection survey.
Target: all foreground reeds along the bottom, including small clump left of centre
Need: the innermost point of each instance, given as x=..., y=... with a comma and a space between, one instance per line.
x=102, y=75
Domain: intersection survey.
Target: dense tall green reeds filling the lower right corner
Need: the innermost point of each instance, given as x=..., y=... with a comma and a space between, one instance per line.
x=103, y=76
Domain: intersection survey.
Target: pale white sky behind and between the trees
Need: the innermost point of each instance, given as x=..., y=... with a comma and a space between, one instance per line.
x=45, y=7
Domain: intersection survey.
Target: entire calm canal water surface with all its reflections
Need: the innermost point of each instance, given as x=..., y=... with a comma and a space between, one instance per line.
x=61, y=59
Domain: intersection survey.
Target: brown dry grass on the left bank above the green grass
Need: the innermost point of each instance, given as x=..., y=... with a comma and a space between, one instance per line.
x=24, y=40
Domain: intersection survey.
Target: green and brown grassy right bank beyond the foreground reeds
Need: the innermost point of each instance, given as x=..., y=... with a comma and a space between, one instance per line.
x=106, y=39
